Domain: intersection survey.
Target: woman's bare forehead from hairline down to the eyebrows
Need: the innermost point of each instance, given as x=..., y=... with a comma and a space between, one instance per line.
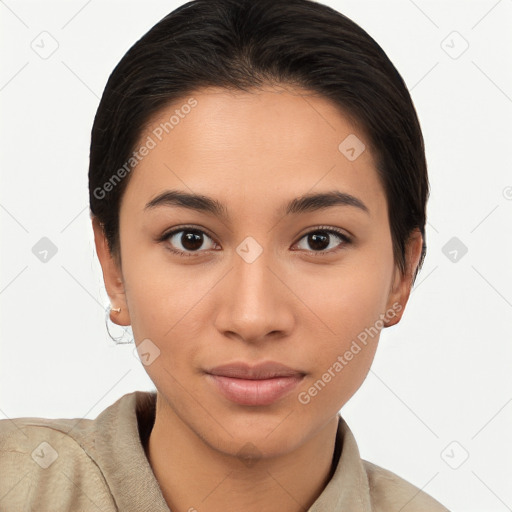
x=268, y=142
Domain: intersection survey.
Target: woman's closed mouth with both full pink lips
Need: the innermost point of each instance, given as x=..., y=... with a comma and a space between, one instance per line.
x=261, y=384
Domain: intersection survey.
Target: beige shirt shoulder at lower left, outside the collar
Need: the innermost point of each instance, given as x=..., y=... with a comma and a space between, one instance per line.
x=45, y=467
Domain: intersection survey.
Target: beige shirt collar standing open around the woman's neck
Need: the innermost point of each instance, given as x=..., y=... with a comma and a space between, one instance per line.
x=112, y=440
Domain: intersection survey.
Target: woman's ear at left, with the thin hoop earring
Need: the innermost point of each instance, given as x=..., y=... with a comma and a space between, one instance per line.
x=112, y=275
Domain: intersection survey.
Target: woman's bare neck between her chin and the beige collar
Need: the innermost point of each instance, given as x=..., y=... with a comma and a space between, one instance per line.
x=195, y=476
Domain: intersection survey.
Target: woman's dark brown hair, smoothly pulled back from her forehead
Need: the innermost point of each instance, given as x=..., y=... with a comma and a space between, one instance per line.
x=246, y=44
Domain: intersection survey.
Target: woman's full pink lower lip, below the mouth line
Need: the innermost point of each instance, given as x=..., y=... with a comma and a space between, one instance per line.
x=255, y=392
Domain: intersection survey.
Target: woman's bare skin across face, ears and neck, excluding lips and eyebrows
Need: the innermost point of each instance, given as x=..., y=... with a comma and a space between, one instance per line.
x=253, y=152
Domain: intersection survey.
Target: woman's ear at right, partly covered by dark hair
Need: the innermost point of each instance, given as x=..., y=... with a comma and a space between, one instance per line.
x=402, y=282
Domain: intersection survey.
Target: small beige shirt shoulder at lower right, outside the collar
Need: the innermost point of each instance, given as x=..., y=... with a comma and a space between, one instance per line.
x=388, y=491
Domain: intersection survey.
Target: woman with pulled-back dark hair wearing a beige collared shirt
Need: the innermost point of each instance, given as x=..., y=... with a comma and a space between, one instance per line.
x=258, y=188
